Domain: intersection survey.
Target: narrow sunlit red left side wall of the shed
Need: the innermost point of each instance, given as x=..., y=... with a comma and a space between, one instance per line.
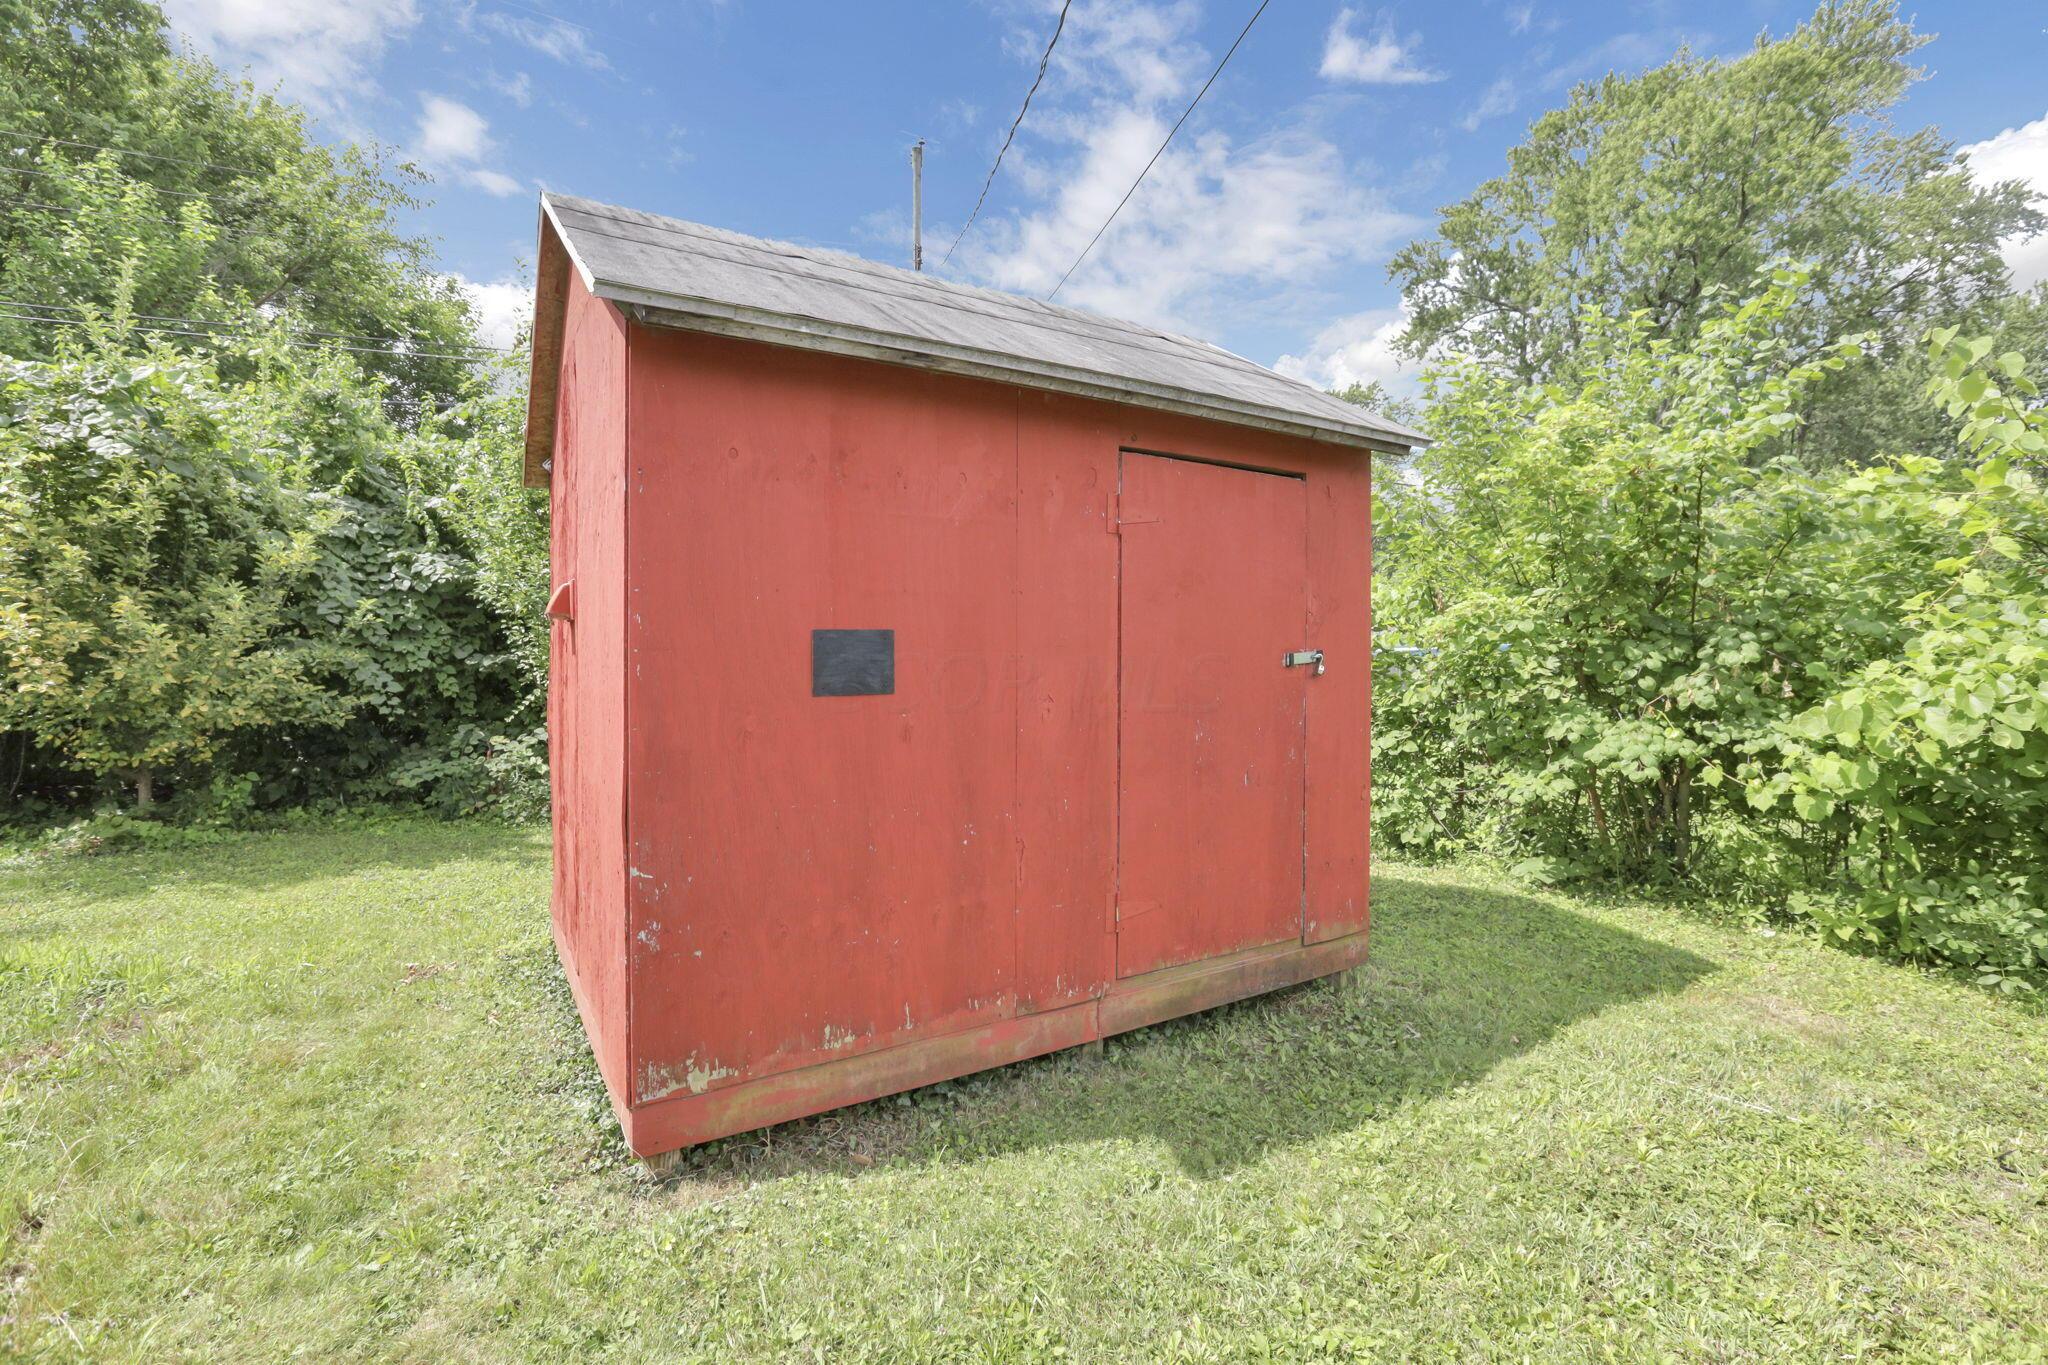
x=587, y=678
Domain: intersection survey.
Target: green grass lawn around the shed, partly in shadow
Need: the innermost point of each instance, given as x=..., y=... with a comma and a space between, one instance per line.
x=325, y=1094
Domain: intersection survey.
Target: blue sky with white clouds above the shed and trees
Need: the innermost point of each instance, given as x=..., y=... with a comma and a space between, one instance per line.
x=1330, y=140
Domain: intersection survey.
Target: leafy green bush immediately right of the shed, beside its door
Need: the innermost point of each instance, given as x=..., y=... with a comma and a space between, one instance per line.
x=1596, y=595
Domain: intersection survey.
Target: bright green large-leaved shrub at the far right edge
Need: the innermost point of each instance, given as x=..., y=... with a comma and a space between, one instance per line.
x=1932, y=762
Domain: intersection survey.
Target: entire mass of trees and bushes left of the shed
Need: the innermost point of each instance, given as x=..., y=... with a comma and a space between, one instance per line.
x=349, y=637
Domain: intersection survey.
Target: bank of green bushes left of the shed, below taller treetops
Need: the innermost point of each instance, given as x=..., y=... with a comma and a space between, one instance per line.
x=243, y=586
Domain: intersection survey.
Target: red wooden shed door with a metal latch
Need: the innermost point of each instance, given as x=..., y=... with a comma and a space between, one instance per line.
x=1211, y=723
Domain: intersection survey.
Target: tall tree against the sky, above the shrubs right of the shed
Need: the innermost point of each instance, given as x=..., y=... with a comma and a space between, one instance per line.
x=1664, y=195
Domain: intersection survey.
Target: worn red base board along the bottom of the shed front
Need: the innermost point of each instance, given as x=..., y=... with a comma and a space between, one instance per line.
x=1132, y=1004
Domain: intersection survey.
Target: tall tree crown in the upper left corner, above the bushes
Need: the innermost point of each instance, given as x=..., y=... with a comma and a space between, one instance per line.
x=118, y=150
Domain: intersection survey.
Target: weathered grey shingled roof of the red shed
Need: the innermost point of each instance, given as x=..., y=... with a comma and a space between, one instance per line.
x=685, y=275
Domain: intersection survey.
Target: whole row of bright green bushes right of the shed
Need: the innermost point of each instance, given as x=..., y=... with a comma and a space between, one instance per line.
x=1627, y=631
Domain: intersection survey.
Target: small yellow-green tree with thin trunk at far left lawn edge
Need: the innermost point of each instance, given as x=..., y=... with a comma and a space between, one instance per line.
x=146, y=572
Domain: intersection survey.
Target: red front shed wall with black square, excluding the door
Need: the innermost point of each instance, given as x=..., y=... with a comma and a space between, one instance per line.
x=822, y=879
